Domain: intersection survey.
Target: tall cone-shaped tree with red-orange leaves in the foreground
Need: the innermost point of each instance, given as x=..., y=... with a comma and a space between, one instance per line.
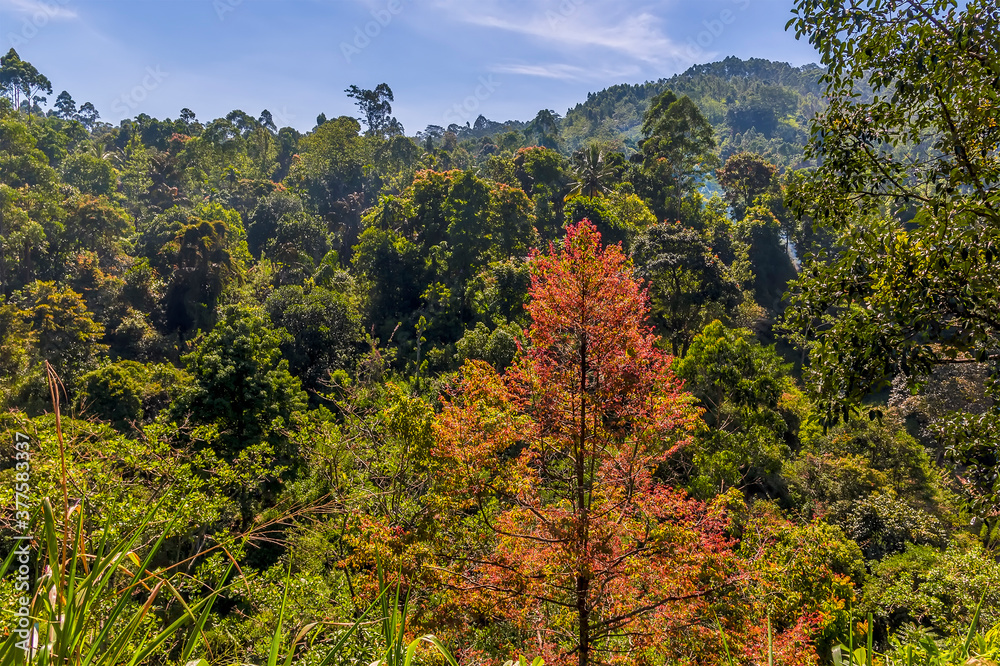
x=554, y=464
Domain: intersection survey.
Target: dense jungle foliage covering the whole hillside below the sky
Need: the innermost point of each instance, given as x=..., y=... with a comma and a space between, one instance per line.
x=701, y=373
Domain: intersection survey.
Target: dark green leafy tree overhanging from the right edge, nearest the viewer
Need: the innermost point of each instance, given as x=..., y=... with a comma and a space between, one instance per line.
x=907, y=292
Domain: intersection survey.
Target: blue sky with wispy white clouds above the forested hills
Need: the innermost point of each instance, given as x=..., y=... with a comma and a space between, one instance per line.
x=445, y=60
